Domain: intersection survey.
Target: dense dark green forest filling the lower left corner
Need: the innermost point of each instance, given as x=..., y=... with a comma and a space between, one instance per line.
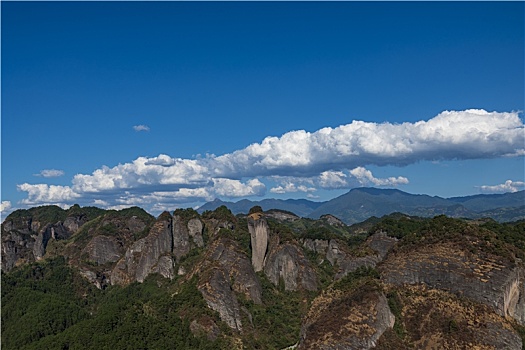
x=48, y=306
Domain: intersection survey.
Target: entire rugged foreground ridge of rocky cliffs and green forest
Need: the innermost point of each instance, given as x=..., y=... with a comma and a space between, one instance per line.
x=91, y=278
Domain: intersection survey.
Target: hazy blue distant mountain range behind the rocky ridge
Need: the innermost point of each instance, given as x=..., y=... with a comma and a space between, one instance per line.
x=360, y=204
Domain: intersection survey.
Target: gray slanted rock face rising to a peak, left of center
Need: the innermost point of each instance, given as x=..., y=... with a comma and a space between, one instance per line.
x=143, y=257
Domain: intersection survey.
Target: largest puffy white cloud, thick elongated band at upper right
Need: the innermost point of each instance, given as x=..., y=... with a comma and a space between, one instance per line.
x=470, y=134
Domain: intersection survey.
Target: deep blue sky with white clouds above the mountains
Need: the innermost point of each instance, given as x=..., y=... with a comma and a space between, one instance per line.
x=171, y=104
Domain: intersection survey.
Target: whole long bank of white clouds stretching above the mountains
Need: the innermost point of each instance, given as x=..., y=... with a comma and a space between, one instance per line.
x=298, y=161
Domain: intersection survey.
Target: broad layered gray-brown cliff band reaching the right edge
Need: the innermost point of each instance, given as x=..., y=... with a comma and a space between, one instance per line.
x=446, y=267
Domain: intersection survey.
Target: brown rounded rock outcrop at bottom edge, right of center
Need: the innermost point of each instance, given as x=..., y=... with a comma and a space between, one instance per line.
x=350, y=325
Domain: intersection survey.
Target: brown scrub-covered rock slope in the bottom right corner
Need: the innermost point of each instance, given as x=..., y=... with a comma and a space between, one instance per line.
x=437, y=319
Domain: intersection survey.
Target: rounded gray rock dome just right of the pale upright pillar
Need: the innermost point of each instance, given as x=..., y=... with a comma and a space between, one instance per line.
x=288, y=262
